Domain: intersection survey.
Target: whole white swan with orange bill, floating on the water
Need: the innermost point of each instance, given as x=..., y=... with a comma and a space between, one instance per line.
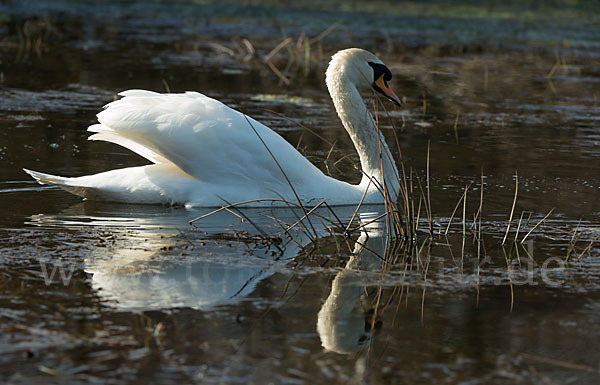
x=205, y=154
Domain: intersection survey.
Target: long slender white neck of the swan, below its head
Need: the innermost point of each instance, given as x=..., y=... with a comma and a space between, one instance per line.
x=375, y=158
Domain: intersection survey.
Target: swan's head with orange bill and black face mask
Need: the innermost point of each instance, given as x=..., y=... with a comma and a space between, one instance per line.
x=363, y=69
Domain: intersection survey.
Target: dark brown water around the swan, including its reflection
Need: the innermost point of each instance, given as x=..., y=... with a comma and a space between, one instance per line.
x=119, y=293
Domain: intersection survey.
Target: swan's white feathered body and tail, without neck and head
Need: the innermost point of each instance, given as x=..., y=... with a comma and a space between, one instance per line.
x=204, y=154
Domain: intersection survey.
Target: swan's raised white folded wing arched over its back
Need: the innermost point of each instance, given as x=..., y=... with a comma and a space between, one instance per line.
x=200, y=135
